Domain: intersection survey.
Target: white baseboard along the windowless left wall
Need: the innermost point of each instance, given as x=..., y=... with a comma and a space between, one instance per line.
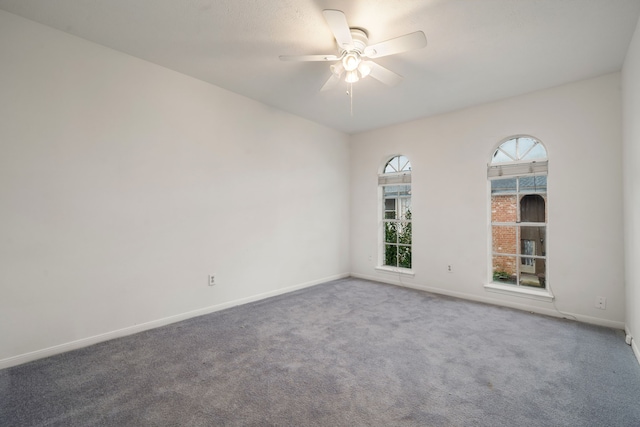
x=84, y=342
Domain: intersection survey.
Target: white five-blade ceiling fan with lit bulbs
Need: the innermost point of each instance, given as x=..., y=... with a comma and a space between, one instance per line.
x=354, y=53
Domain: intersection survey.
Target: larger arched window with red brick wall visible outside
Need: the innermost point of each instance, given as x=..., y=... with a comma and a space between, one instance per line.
x=517, y=174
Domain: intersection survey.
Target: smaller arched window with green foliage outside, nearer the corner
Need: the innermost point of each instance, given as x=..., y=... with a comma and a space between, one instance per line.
x=395, y=184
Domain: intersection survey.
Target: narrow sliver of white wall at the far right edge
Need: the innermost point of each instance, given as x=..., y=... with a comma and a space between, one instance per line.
x=631, y=165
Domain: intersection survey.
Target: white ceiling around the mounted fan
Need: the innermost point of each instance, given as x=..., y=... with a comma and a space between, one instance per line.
x=478, y=50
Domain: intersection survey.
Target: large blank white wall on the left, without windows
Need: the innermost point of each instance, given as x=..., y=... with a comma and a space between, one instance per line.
x=124, y=184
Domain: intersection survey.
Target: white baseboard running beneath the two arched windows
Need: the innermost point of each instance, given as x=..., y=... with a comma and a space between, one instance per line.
x=395, y=280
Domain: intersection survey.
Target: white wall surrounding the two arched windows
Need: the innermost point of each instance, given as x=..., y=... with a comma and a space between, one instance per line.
x=579, y=123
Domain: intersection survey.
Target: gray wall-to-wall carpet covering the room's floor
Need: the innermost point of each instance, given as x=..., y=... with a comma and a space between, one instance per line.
x=344, y=353
